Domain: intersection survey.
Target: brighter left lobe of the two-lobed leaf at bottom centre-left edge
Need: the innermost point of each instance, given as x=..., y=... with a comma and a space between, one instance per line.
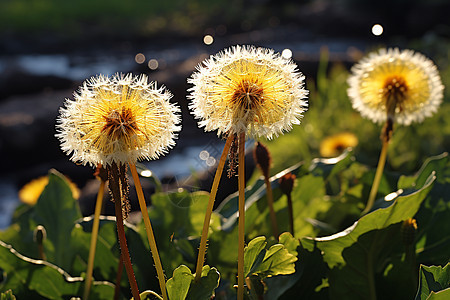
x=178, y=285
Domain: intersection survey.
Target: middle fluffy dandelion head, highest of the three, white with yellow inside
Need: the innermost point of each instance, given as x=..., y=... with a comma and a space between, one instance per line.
x=248, y=89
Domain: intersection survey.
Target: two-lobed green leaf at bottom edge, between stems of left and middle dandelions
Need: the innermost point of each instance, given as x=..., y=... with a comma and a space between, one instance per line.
x=183, y=286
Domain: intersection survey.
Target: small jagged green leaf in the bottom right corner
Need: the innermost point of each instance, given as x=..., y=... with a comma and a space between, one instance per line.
x=433, y=279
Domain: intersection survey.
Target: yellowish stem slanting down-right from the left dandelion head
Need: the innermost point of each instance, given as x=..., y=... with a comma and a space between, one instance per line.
x=149, y=230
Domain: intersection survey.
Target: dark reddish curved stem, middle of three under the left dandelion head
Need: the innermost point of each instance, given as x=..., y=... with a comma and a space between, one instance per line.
x=124, y=249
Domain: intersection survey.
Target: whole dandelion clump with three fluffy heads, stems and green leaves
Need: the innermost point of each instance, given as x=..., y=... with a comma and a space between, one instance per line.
x=327, y=228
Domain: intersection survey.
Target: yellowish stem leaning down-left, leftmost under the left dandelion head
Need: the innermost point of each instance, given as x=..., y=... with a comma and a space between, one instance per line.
x=94, y=235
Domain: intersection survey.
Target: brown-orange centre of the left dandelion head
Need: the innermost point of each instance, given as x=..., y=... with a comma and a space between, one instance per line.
x=120, y=124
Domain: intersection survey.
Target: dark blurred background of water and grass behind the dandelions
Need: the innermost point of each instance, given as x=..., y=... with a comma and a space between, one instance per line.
x=48, y=47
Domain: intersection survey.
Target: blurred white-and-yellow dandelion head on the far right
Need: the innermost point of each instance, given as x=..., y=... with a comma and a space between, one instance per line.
x=402, y=85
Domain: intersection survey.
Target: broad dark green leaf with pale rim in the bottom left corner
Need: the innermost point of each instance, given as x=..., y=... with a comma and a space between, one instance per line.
x=37, y=279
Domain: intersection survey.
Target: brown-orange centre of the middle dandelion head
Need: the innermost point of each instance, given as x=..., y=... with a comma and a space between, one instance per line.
x=248, y=95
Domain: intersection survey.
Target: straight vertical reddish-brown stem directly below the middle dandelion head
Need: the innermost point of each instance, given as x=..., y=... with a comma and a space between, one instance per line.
x=241, y=224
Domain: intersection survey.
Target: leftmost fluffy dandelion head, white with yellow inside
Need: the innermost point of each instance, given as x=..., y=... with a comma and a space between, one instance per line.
x=119, y=119
